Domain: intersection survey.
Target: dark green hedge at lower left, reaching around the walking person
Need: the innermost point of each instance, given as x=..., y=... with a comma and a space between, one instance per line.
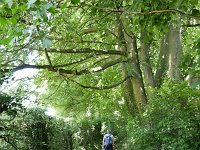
x=35, y=130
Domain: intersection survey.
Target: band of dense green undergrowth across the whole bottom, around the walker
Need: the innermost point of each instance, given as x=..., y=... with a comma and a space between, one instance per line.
x=170, y=121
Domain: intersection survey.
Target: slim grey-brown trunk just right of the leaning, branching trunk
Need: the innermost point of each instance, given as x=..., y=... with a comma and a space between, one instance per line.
x=145, y=61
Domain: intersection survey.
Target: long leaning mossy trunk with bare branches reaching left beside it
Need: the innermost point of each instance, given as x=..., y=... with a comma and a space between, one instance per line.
x=136, y=82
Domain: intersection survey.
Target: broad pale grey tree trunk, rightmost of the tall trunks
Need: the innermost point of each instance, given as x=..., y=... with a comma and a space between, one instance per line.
x=175, y=51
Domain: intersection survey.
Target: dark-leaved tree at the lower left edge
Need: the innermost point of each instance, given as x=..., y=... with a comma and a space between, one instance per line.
x=10, y=107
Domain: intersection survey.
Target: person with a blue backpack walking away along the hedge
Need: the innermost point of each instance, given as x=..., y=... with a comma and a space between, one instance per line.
x=108, y=141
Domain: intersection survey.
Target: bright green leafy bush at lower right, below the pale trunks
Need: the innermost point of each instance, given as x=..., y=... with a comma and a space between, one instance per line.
x=171, y=120
